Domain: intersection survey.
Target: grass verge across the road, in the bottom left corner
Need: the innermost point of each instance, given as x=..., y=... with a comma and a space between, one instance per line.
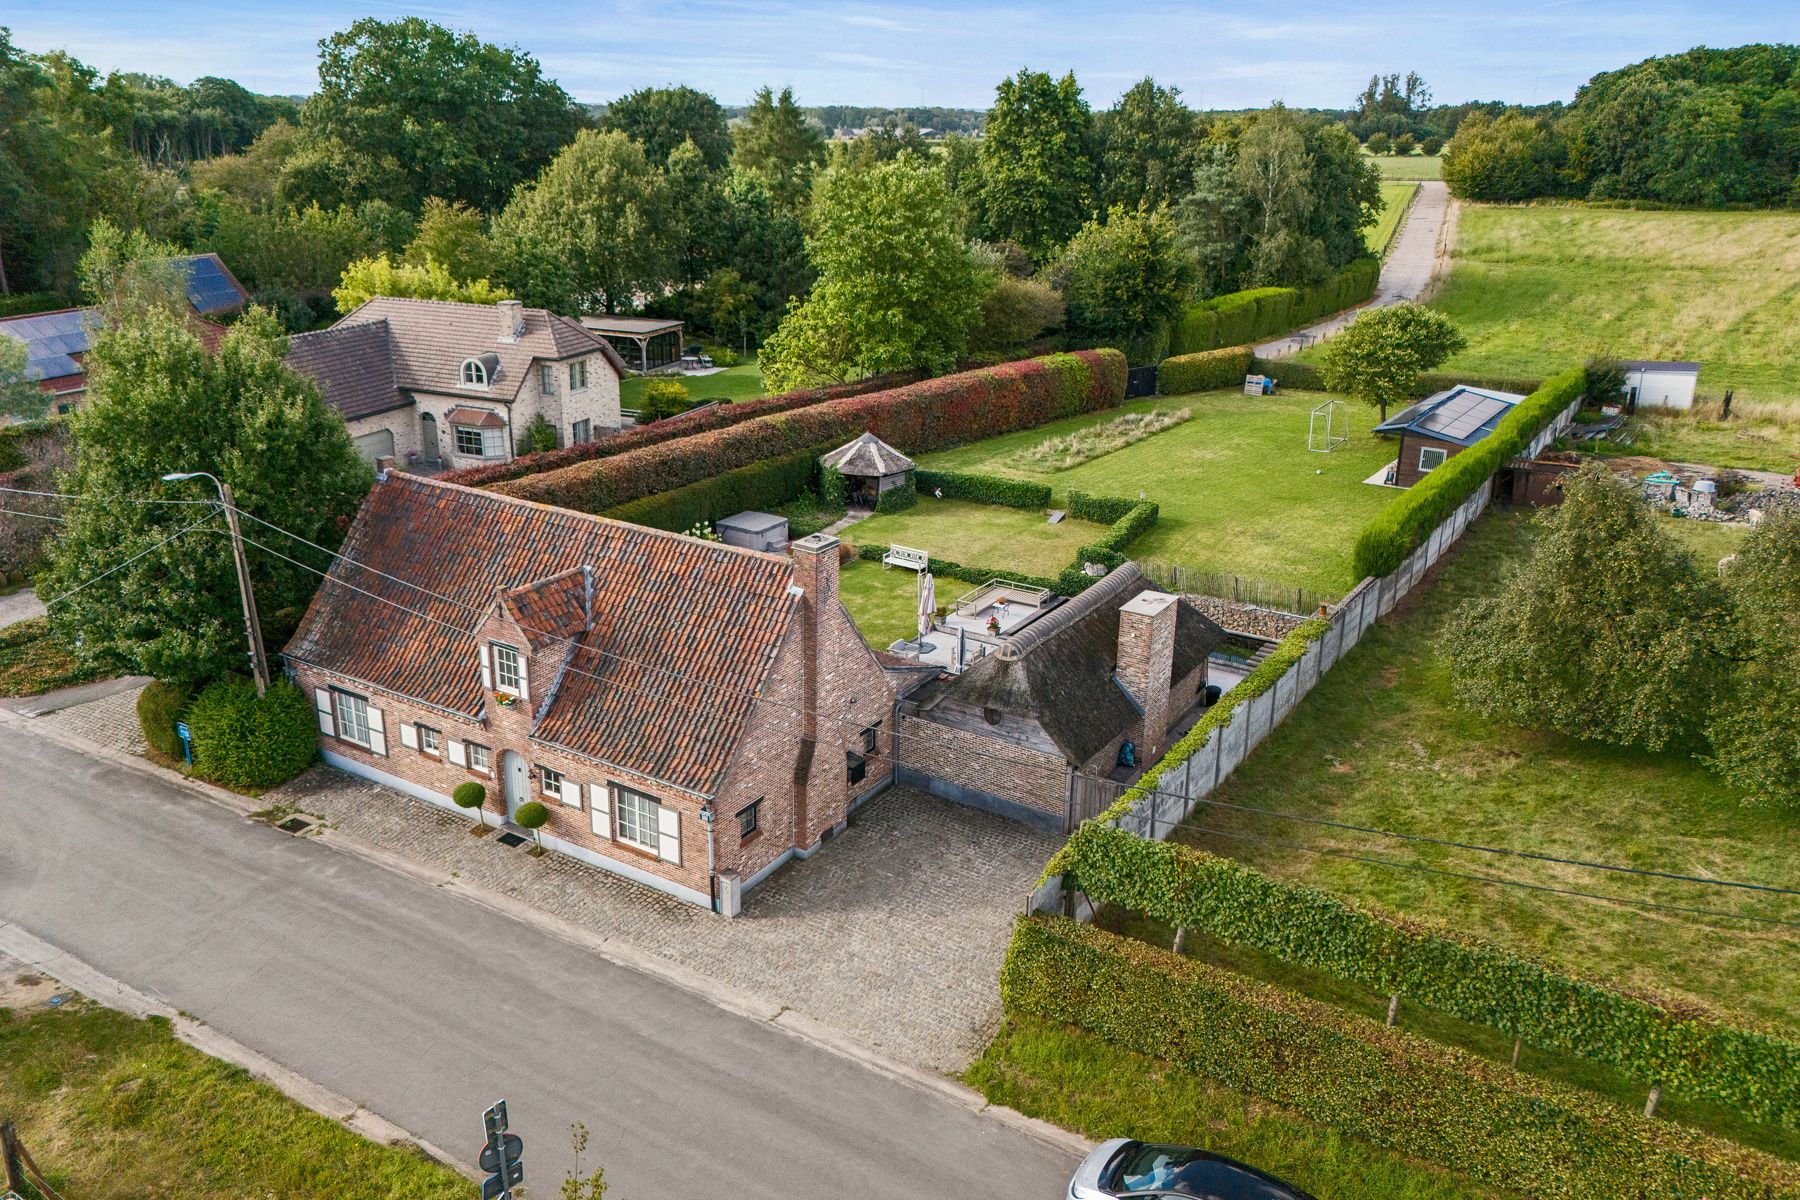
x=118, y=1109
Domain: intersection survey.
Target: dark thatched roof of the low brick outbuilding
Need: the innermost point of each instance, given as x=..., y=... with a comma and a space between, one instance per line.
x=1059, y=668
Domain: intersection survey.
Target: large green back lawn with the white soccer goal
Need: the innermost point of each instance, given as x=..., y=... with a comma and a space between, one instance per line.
x=1237, y=487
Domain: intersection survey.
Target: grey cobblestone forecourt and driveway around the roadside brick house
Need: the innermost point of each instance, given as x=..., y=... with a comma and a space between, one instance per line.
x=894, y=933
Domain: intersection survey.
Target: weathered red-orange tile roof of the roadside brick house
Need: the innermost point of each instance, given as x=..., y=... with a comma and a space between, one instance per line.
x=663, y=679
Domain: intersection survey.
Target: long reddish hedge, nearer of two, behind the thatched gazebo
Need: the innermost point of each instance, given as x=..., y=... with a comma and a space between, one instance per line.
x=915, y=418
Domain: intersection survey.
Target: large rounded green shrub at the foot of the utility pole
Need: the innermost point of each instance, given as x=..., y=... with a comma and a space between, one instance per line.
x=244, y=740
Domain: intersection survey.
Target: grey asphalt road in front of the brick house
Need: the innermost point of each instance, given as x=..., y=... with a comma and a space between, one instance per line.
x=426, y=1007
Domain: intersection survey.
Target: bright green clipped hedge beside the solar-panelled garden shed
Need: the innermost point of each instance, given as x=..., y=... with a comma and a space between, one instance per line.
x=1405, y=524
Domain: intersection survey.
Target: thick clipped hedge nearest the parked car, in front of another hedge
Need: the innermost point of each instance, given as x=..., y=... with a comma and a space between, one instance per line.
x=1387, y=1086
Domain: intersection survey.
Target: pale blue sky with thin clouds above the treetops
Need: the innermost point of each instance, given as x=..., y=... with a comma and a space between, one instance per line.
x=1219, y=53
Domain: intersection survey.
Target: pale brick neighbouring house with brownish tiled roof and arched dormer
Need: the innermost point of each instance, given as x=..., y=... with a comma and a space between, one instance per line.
x=454, y=386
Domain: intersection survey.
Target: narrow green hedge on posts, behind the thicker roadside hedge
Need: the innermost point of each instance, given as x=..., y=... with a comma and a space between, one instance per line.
x=1659, y=1044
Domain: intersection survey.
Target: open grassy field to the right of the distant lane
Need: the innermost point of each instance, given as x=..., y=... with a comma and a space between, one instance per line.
x=1540, y=289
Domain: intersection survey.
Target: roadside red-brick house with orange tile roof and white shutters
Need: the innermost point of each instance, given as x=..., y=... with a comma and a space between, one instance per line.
x=694, y=715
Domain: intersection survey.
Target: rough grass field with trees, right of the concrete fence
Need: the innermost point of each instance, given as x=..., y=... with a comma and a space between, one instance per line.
x=1383, y=744
